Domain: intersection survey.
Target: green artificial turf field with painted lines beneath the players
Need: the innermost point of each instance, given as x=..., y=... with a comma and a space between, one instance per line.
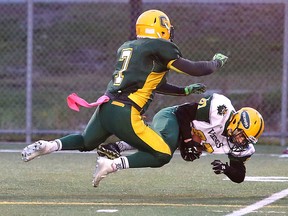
x=60, y=184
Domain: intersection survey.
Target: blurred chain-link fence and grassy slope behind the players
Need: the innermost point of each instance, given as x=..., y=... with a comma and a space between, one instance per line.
x=49, y=49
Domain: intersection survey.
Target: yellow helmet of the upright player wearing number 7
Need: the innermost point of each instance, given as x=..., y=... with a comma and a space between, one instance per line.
x=154, y=24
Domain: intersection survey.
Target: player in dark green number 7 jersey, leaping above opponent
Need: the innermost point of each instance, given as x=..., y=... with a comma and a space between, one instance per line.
x=141, y=69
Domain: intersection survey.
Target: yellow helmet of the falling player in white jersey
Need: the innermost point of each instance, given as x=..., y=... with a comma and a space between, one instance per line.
x=245, y=127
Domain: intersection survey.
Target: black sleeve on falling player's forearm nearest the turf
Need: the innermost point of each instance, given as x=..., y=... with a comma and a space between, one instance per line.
x=236, y=171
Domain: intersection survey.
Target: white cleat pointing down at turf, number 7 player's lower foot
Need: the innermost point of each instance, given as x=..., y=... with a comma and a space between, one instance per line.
x=104, y=166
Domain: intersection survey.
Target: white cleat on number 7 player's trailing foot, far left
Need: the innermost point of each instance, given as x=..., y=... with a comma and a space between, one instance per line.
x=36, y=149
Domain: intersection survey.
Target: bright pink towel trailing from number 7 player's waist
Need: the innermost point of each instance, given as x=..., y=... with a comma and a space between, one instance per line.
x=74, y=101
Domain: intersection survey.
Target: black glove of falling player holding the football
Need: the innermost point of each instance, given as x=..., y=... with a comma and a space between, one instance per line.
x=190, y=150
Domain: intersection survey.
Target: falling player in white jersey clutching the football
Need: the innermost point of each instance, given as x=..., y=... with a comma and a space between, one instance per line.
x=212, y=125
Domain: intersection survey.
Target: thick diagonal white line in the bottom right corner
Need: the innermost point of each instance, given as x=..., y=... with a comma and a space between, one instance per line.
x=260, y=204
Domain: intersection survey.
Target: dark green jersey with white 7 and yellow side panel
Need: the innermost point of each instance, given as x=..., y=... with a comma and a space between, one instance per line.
x=141, y=66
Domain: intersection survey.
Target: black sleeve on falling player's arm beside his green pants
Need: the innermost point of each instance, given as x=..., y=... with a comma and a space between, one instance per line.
x=185, y=114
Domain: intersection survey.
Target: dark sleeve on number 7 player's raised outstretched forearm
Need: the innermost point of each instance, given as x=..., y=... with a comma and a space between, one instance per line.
x=194, y=68
